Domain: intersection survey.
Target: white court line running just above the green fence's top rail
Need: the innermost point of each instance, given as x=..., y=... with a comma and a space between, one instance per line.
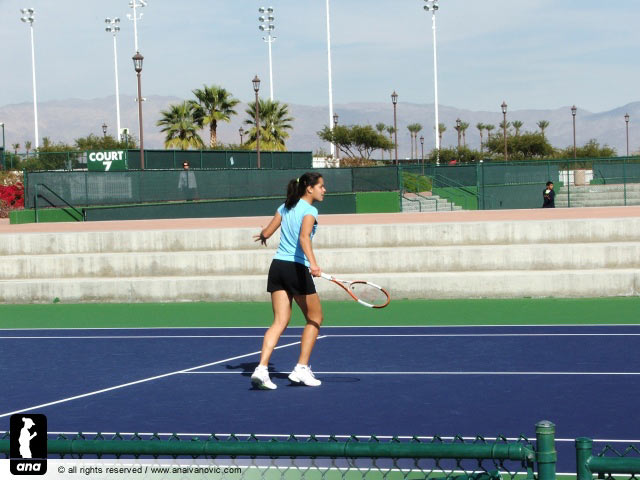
x=306, y=435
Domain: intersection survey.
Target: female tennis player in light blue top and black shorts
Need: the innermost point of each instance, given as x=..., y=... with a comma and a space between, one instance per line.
x=290, y=277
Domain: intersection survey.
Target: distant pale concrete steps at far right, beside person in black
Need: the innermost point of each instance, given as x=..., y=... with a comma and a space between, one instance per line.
x=598, y=195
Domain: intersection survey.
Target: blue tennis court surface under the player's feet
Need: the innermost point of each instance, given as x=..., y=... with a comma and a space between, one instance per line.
x=381, y=380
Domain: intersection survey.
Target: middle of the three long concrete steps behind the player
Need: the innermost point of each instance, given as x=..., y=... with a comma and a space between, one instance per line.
x=378, y=260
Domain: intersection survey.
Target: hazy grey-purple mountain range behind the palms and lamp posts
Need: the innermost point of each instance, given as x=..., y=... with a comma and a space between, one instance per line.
x=65, y=120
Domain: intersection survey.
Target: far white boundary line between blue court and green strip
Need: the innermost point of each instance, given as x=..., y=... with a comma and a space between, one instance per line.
x=339, y=326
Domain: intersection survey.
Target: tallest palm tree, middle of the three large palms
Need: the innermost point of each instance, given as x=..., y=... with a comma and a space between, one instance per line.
x=212, y=105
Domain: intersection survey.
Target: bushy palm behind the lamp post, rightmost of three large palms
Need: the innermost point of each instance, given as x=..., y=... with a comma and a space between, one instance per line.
x=274, y=123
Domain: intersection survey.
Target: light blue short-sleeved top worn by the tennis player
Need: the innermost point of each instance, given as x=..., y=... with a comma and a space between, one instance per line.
x=290, y=249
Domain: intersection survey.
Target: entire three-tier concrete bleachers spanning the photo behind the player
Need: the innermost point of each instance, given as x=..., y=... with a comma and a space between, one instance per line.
x=506, y=259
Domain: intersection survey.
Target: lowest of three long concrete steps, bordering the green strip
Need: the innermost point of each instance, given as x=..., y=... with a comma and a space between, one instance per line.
x=430, y=285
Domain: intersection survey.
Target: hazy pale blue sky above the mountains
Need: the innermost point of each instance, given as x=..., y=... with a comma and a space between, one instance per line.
x=535, y=54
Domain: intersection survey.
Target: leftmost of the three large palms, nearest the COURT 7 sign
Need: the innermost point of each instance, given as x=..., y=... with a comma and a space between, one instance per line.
x=179, y=127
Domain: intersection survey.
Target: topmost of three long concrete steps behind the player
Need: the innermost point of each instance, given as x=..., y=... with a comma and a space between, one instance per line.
x=330, y=236
